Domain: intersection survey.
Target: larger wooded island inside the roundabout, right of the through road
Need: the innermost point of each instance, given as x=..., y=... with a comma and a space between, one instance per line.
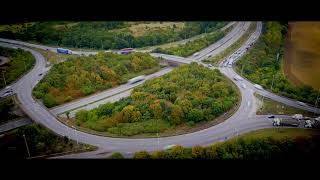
x=189, y=94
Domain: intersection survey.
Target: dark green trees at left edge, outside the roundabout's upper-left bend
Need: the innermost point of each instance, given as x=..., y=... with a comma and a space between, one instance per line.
x=20, y=61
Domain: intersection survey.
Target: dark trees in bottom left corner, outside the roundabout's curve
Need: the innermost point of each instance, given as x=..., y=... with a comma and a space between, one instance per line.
x=40, y=141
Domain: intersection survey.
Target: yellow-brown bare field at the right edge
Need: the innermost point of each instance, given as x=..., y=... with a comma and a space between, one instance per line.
x=302, y=59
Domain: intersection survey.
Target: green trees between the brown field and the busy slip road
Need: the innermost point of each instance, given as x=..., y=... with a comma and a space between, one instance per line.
x=262, y=66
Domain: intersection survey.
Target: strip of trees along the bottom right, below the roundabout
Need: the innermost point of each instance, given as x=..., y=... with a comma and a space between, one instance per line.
x=245, y=149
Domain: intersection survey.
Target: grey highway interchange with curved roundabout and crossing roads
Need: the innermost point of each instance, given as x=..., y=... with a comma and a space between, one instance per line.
x=243, y=120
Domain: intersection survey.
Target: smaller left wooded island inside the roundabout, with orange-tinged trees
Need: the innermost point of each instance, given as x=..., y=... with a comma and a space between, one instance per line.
x=82, y=76
